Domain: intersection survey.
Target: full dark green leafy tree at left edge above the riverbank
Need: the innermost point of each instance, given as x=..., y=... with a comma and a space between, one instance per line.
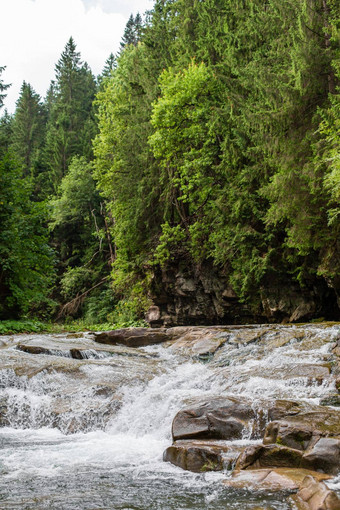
x=26, y=260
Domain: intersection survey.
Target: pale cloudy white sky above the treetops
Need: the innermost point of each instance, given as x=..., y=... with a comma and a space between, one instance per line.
x=33, y=33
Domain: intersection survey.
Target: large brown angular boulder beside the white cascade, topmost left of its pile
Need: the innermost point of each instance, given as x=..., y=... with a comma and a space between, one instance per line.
x=220, y=418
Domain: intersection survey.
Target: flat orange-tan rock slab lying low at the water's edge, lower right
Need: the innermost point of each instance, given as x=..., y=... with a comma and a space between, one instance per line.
x=279, y=479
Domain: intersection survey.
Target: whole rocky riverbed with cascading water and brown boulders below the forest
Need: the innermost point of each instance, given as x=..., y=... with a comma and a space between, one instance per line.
x=248, y=417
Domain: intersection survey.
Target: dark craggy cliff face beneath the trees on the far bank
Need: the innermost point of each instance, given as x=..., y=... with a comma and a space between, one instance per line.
x=191, y=296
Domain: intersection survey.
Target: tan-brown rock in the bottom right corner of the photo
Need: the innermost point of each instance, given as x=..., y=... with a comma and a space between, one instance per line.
x=315, y=495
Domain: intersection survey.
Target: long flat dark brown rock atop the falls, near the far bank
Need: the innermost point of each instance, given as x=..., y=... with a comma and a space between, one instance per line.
x=132, y=337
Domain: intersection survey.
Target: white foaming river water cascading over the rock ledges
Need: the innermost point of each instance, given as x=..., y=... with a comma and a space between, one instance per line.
x=90, y=433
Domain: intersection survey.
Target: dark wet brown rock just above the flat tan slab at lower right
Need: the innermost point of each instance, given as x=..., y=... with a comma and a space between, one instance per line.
x=272, y=456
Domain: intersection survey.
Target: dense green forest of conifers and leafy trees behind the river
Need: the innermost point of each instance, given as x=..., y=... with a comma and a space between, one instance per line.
x=211, y=139
